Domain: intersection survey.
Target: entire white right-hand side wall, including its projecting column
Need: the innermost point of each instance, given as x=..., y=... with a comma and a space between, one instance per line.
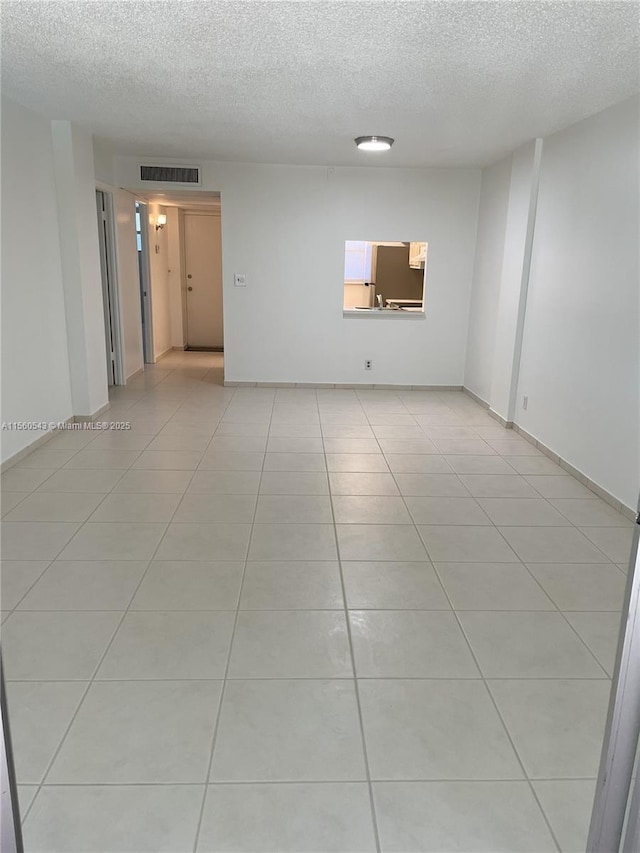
x=579, y=361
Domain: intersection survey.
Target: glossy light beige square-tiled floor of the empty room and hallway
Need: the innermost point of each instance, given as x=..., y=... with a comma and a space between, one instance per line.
x=190, y=600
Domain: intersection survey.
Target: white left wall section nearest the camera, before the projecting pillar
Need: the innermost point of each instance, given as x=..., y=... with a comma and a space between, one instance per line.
x=35, y=364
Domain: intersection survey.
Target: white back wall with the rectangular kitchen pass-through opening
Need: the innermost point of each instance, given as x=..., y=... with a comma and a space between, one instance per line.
x=285, y=227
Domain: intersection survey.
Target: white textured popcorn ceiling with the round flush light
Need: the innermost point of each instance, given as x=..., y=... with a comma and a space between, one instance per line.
x=456, y=83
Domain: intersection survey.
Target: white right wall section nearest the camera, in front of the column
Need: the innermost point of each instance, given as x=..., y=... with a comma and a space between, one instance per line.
x=580, y=352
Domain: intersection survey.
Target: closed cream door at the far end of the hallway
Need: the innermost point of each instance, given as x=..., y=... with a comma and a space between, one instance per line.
x=203, y=269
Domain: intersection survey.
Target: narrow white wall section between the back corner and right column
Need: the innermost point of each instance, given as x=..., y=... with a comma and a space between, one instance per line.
x=487, y=276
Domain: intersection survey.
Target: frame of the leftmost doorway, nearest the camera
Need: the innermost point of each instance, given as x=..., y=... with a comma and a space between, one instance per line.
x=110, y=286
